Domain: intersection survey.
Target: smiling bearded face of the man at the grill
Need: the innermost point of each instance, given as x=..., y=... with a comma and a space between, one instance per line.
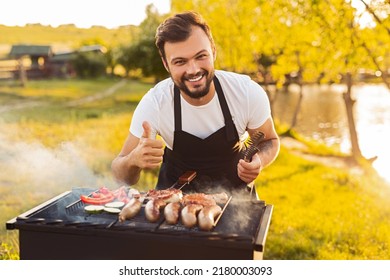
x=191, y=63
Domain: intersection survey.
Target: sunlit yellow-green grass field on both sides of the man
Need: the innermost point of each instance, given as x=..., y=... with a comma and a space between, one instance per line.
x=48, y=145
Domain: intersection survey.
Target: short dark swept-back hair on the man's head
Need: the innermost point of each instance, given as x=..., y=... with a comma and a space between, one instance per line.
x=178, y=28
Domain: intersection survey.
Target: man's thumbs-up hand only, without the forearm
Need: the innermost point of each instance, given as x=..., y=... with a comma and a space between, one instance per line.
x=149, y=152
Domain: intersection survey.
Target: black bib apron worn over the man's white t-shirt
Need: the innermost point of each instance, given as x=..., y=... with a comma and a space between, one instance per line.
x=214, y=158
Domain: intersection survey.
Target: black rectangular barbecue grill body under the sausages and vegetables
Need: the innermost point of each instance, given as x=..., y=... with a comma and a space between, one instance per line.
x=61, y=229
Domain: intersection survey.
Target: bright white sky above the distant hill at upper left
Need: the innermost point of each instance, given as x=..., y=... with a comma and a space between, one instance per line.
x=82, y=13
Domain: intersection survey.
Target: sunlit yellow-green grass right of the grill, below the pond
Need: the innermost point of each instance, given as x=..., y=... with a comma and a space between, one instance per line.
x=325, y=213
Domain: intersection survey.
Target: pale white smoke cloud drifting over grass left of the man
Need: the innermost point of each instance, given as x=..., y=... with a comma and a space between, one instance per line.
x=32, y=167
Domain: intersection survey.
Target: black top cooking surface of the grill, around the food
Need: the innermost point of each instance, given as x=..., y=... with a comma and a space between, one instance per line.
x=53, y=215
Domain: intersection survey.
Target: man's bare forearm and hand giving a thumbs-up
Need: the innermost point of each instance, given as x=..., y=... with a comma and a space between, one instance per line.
x=137, y=154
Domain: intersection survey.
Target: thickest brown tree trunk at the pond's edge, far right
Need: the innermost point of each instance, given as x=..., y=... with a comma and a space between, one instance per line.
x=349, y=103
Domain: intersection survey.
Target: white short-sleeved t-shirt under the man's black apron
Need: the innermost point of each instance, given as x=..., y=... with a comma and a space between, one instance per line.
x=248, y=104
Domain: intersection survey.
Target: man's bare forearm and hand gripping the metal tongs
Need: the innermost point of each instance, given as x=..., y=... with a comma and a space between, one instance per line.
x=248, y=171
